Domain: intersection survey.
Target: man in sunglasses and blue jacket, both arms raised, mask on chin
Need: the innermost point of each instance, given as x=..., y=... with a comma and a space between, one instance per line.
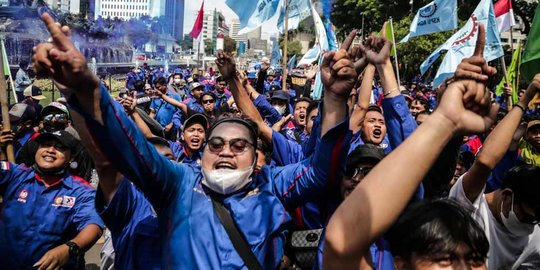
x=182, y=196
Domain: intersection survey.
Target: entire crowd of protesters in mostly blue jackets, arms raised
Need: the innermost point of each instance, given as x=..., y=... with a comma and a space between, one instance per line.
x=216, y=170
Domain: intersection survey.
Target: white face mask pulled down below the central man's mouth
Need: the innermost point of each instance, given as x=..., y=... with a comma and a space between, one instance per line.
x=226, y=181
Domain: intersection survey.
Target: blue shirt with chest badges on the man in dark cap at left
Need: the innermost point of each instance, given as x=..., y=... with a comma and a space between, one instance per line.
x=36, y=219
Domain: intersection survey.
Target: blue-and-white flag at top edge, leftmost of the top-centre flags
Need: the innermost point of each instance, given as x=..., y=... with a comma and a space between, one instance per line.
x=253, y=13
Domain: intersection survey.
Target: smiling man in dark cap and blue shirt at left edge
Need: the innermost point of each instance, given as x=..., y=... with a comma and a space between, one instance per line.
x=48, y=218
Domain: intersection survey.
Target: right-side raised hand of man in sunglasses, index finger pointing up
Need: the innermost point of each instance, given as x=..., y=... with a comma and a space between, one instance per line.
x=337, y=71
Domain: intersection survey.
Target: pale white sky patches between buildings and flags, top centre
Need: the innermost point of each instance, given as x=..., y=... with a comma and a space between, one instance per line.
x=192, y=7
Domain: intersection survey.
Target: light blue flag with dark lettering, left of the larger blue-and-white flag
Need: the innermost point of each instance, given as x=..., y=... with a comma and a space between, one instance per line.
x=437, y=16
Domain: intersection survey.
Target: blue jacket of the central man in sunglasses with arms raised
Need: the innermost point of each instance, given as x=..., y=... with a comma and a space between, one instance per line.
x=193, y=237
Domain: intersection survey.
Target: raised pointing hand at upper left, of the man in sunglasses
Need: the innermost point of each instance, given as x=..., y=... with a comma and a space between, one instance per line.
x=61, y=60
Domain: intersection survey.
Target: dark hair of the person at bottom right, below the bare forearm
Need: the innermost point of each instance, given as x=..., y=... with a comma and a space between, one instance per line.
x=432, y=227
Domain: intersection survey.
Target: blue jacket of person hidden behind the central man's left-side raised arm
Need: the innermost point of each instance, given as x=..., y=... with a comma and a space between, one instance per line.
x=134, y=228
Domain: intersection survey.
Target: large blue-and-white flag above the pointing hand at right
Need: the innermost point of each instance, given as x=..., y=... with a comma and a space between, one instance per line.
x=461, y=44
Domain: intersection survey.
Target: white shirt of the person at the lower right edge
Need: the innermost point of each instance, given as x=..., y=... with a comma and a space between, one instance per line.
x=504, y=248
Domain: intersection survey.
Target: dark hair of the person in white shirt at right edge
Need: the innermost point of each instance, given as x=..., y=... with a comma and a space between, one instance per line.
x=524, y=181
